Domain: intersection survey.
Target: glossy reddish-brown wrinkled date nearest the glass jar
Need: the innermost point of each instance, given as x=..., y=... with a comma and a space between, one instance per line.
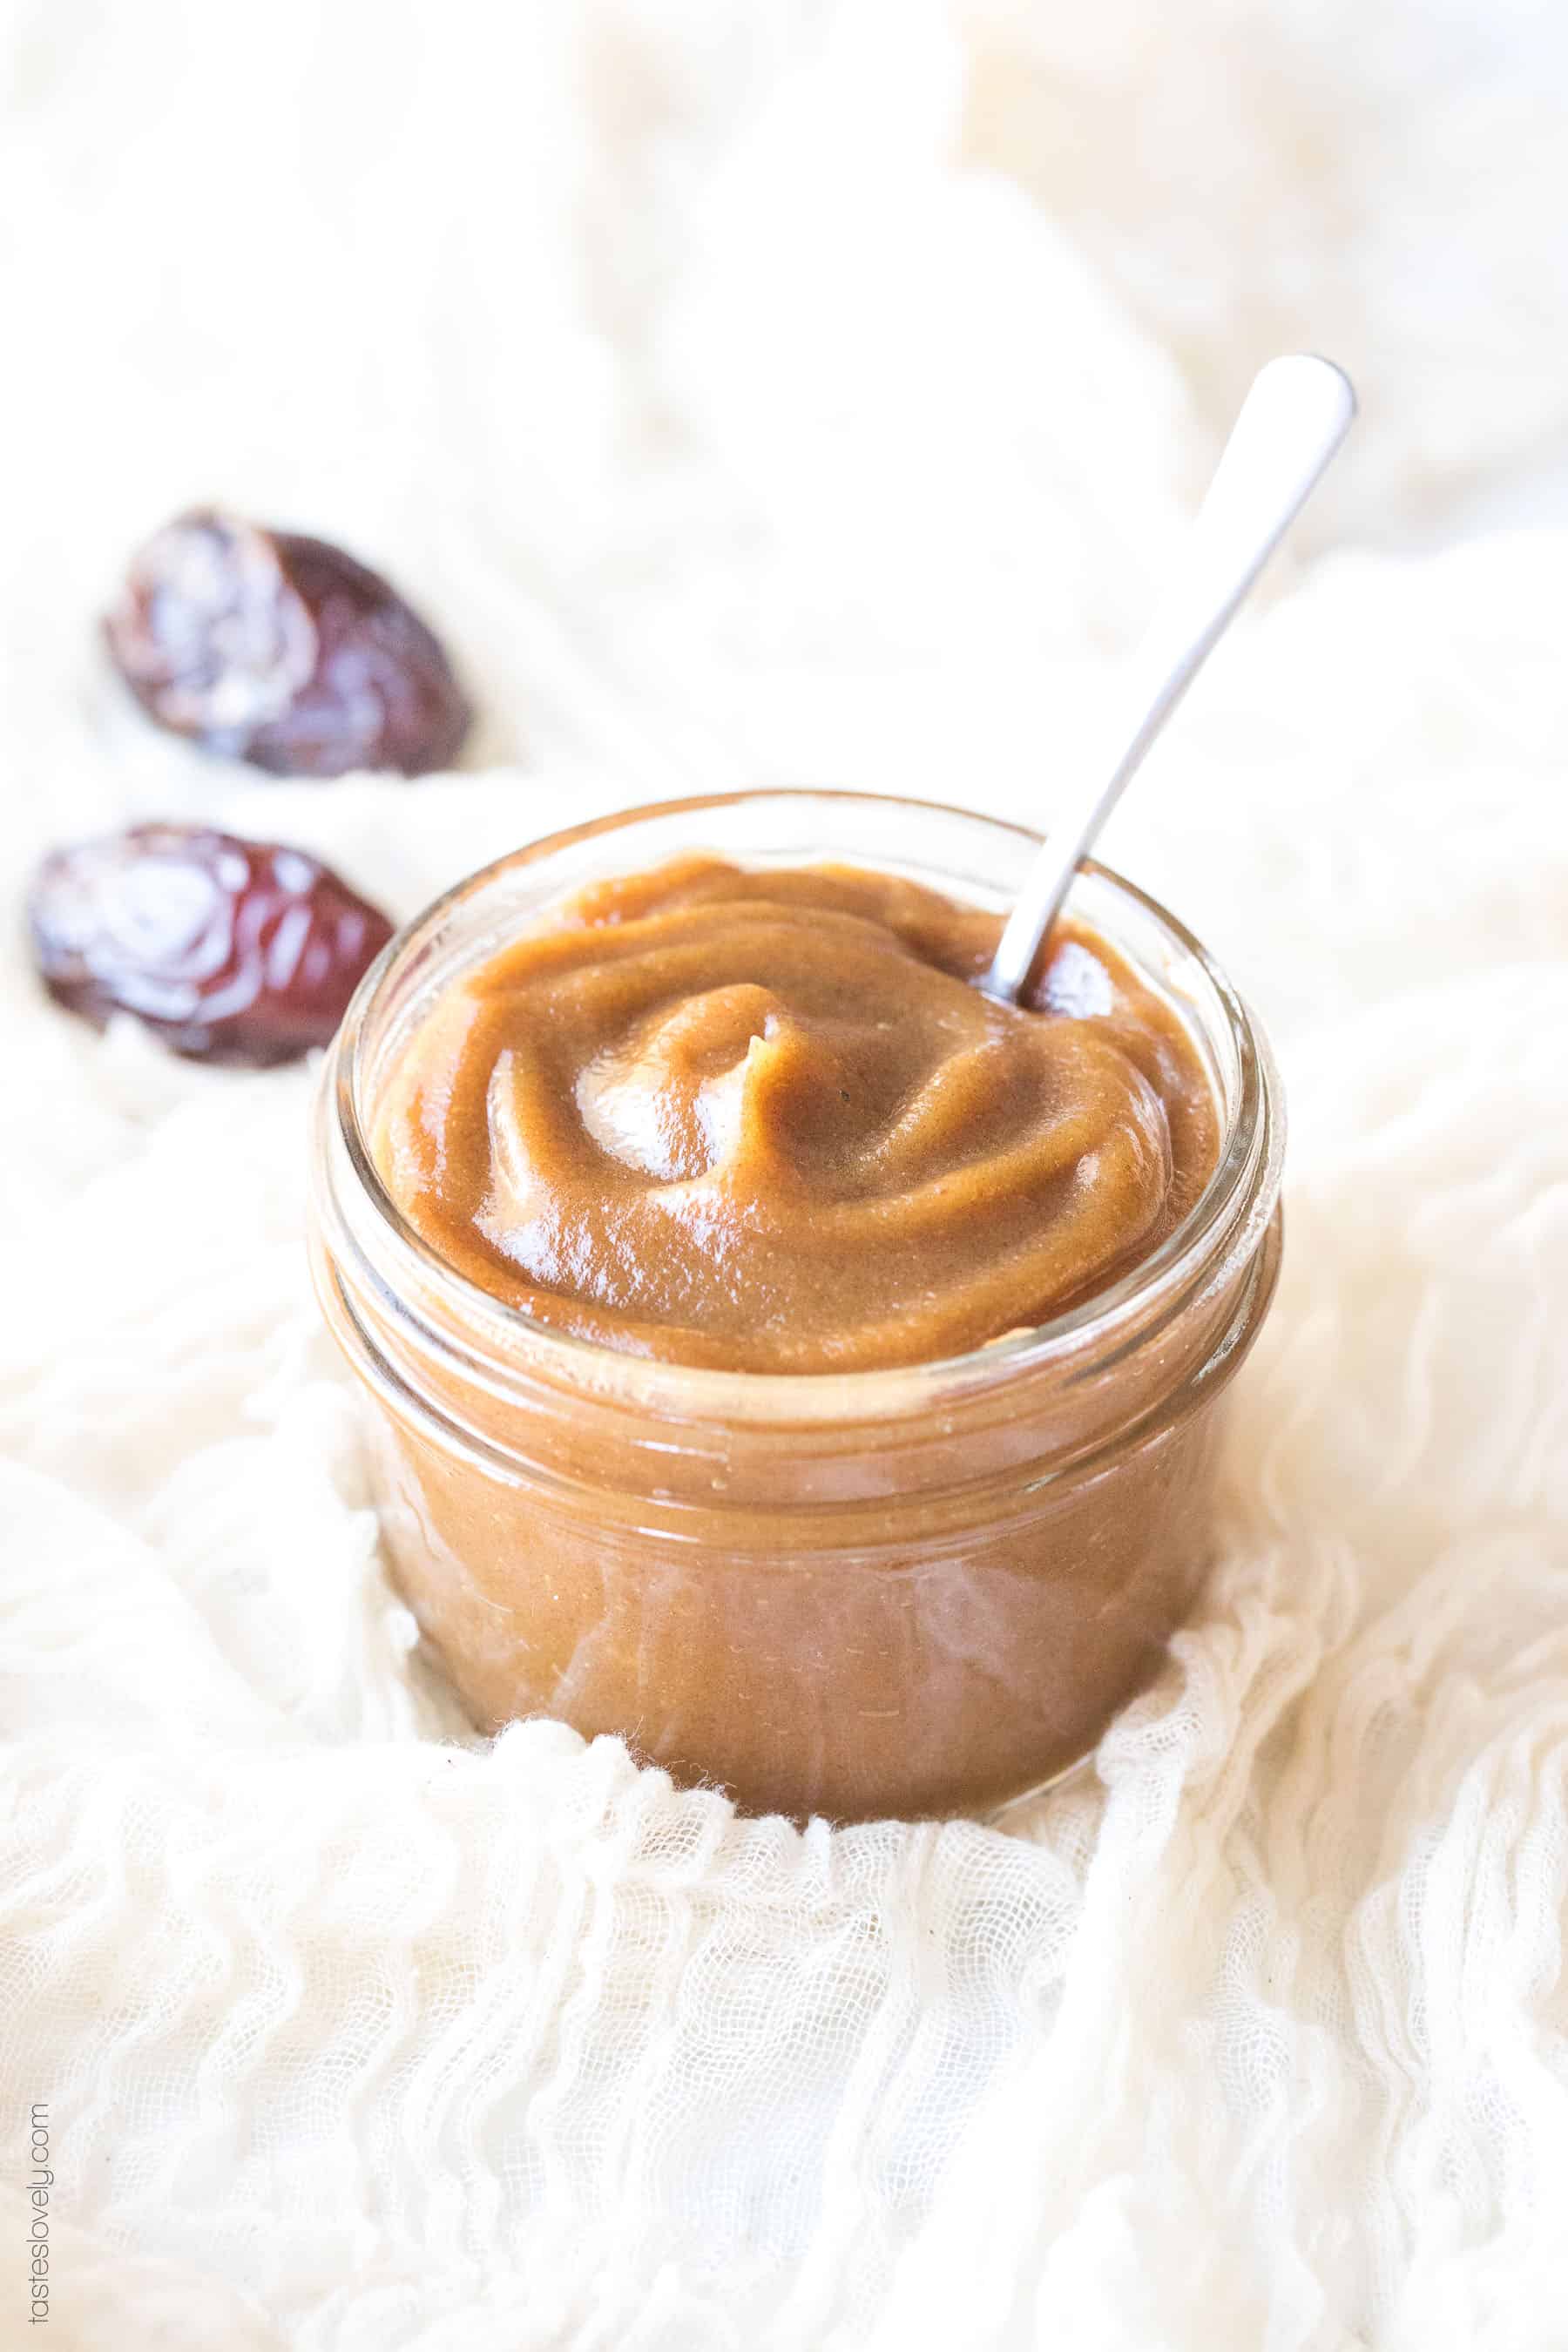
x=229, y=951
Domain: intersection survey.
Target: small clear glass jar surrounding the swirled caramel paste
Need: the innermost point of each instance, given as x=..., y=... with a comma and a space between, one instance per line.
x=918, y=1591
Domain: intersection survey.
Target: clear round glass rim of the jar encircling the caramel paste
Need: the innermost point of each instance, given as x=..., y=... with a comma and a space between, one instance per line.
x=1233, y=1208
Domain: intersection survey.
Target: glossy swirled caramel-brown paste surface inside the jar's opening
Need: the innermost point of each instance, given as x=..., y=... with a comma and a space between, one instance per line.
x=765, y=1121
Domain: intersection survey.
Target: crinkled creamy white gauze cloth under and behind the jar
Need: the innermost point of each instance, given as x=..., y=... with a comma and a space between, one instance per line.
x=805, y=394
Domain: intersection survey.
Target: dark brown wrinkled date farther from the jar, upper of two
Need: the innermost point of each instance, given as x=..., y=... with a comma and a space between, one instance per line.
x=283, y=653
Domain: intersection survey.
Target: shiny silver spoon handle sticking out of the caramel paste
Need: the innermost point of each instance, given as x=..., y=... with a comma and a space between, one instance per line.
x=1292, y=425
